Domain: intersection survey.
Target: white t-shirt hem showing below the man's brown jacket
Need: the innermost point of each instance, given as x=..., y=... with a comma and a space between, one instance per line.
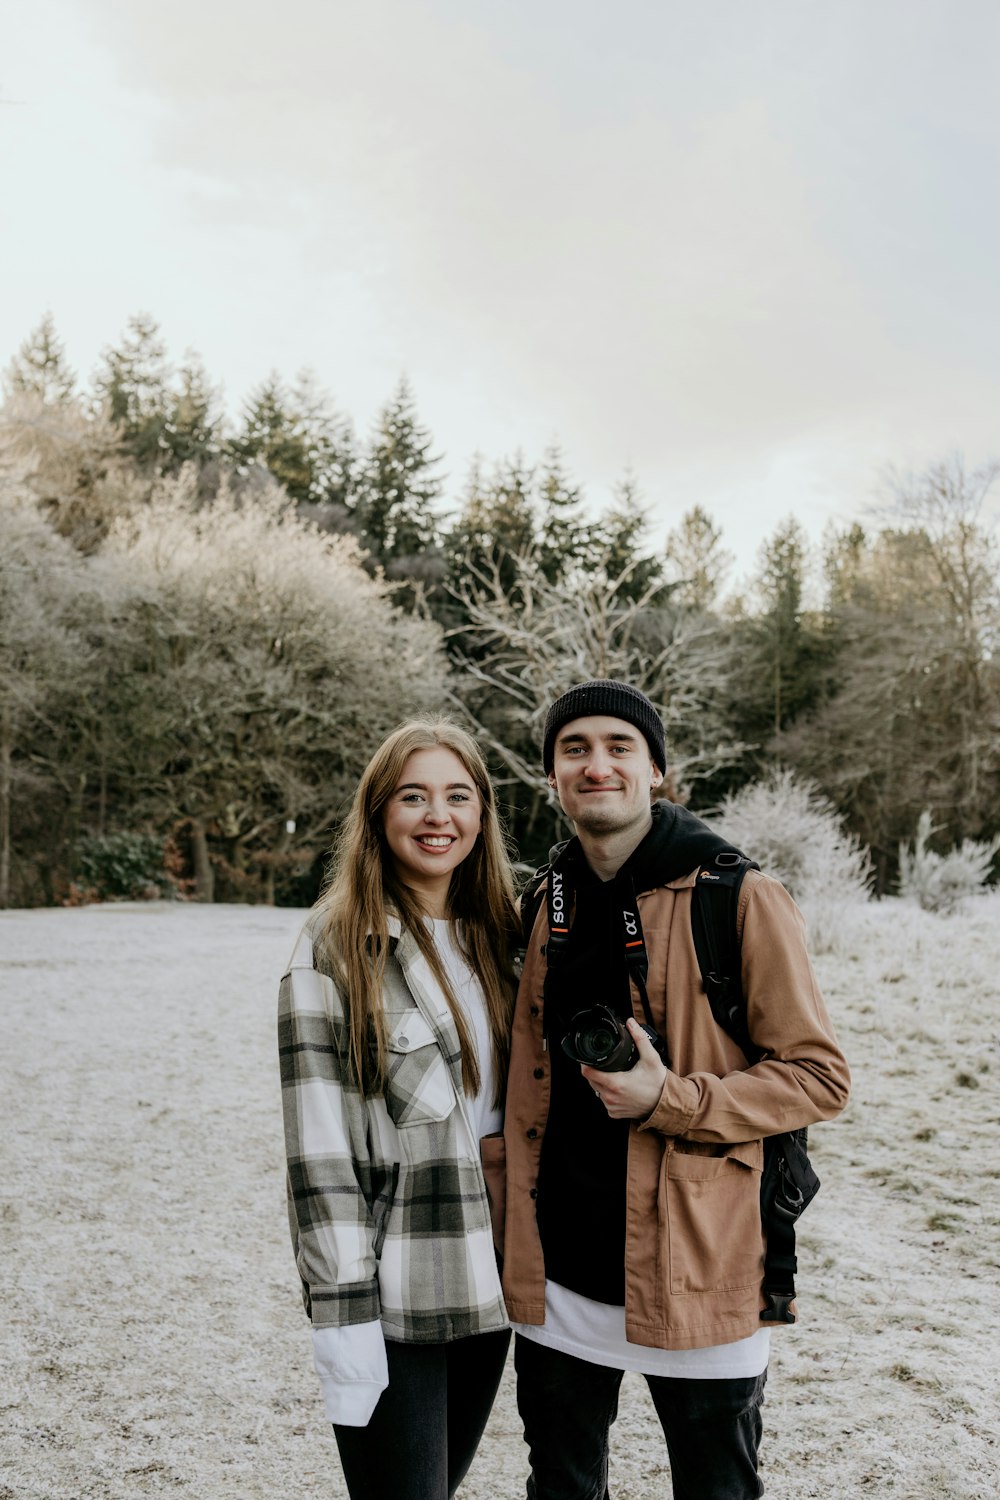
x=596, y=1333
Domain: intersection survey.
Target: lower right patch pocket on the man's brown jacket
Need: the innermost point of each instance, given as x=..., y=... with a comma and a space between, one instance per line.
x=710, y=1207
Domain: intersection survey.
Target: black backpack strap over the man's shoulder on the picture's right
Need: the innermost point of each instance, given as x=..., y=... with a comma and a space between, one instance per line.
x=717, y=943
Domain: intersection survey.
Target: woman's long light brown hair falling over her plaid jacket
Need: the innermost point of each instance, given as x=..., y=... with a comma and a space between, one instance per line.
x=365, y=889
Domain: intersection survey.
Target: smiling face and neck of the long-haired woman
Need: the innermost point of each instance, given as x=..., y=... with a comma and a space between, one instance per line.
x=433, y=820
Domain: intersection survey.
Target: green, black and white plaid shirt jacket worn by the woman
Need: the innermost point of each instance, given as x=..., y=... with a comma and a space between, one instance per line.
x=388, y=1202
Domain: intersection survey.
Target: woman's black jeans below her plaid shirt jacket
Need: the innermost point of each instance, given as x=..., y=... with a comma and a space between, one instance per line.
x=428, y=1423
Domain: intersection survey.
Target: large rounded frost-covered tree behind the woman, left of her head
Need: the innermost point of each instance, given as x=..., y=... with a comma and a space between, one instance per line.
x=272, y=665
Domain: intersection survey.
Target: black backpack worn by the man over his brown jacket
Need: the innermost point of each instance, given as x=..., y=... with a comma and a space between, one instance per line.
x=788, y=1184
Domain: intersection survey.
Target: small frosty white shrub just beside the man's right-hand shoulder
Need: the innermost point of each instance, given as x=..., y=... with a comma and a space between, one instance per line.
x=798, y=836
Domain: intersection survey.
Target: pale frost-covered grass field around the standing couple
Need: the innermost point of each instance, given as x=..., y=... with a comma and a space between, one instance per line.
x=154, y=1340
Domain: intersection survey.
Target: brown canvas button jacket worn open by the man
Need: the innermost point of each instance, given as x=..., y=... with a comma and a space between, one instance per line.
x=693, y=1244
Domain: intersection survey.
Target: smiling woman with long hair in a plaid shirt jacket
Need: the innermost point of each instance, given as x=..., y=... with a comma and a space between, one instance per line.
x=394, y=1034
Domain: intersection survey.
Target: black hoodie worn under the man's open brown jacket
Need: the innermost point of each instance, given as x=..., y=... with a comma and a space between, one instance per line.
x=584, y=1154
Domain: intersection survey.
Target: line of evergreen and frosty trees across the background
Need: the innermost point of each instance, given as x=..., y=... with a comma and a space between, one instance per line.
x=206, y=626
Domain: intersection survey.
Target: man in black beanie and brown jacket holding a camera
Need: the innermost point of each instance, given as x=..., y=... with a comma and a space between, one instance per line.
x=633, y=1235
